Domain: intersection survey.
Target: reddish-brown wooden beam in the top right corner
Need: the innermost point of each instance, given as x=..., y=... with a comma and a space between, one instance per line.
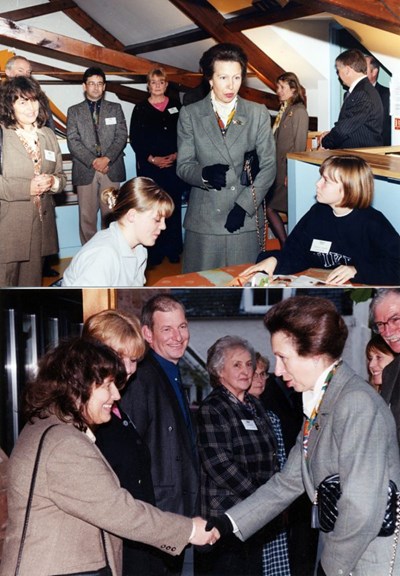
x=384, y=15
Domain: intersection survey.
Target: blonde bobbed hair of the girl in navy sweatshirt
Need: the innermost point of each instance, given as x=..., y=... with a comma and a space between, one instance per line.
x=356, y=177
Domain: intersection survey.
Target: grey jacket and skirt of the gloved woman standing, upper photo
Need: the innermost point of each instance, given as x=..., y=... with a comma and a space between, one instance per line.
x=200, y=143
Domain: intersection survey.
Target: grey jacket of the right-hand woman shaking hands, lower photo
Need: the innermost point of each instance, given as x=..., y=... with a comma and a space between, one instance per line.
x=355, y=436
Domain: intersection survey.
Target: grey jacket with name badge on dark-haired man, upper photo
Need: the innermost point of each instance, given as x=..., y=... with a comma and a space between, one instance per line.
x=81, y=140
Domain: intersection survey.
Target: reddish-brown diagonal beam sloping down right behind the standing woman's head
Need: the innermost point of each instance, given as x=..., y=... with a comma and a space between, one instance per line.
x=204, y=15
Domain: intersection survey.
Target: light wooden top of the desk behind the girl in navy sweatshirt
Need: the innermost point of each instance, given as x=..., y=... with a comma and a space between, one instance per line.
x=384, y=161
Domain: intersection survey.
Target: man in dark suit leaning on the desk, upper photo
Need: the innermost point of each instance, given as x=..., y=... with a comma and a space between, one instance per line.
x=361, y=117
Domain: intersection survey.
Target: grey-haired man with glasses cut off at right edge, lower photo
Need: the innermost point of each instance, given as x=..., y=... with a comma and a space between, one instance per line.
x=385, y=316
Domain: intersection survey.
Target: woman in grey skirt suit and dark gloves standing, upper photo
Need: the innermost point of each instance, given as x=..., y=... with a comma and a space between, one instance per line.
x=224, y=220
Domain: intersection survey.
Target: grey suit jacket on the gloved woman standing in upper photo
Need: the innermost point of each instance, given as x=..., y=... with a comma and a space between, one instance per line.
x=200, y=144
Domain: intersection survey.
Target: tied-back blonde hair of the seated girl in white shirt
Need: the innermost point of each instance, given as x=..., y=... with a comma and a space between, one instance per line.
x=140, y=194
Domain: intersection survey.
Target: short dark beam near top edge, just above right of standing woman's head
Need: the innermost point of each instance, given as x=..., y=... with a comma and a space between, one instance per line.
x=257, y=19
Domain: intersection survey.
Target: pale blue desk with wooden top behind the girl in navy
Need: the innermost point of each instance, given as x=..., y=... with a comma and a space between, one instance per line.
x=303, y=173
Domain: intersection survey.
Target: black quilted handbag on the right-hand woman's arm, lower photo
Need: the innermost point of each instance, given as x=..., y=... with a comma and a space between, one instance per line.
x=328, y=494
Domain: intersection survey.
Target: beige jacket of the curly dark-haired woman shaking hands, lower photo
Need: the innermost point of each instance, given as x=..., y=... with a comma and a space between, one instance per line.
x=76, y=493
